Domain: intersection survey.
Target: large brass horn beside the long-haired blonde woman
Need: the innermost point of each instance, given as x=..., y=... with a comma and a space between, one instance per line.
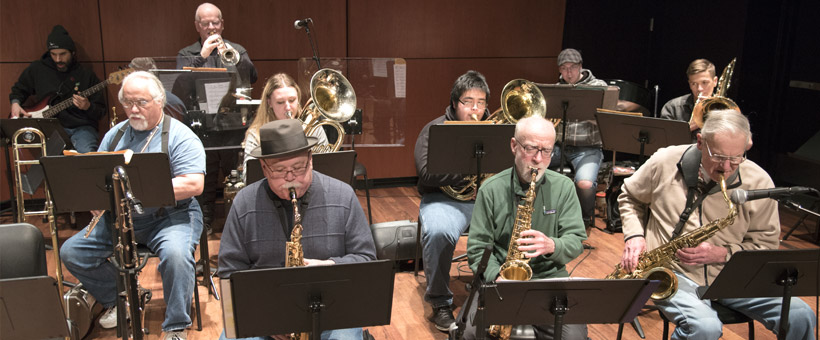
x=332, y=102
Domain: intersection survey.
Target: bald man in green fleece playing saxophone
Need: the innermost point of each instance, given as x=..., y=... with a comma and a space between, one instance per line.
x=556, y=231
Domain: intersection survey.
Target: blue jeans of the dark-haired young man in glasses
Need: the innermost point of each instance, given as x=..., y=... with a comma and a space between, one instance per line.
x=442, y=219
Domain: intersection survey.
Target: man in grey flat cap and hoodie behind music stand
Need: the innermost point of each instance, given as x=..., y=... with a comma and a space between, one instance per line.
x=583, y=140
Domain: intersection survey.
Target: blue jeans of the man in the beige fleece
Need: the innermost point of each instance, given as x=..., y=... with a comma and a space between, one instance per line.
x=695, y=318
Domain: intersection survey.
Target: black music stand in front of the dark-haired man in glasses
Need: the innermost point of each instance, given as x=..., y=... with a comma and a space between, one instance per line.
x=469, y=149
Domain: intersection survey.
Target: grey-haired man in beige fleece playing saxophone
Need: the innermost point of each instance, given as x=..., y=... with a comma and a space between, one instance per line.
x=652, y=205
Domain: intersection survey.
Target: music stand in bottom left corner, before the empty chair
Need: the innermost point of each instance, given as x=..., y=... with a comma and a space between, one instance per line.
x=31, y=309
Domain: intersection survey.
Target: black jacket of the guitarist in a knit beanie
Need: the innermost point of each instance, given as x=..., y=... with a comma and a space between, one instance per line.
x=41, y=79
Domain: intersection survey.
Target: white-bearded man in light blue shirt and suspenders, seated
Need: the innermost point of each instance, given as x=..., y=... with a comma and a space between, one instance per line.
x=171, y=232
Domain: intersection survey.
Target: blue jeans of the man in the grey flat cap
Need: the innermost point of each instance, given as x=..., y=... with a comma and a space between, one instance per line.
x=585, y=160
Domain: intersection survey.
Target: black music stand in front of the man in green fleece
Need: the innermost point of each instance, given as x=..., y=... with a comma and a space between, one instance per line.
x=565, y=301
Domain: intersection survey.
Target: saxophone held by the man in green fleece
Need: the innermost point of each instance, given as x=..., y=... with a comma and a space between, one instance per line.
x=516, y=267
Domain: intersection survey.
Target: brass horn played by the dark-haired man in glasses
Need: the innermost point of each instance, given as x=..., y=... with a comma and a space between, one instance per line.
x=520, y=98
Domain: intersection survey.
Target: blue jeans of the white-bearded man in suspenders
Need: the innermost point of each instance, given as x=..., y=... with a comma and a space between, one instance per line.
x=171, y=233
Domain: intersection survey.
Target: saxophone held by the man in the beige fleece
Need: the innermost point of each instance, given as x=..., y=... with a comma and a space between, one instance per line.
x=652, y=264
